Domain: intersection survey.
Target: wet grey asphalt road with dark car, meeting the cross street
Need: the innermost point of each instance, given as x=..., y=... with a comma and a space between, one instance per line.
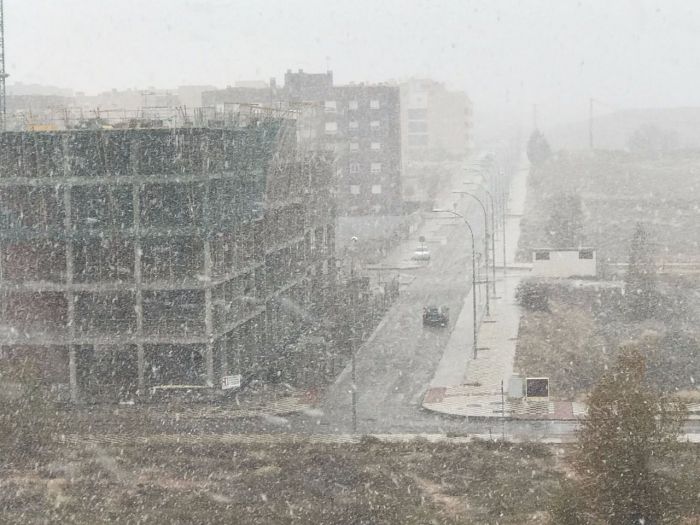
x=394, y=367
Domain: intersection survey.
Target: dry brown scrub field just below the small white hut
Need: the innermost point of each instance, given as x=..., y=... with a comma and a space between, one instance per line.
x=578, y=337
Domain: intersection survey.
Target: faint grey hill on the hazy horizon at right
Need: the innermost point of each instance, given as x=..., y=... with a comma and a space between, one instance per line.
x=612, y=131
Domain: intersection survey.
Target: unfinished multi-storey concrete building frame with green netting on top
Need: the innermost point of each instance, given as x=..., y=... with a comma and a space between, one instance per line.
x=136, y=258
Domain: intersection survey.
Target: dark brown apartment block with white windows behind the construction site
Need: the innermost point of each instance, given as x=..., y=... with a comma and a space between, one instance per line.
x=359, y=124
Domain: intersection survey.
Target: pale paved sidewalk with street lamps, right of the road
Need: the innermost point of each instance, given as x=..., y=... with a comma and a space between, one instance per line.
x=464, y=386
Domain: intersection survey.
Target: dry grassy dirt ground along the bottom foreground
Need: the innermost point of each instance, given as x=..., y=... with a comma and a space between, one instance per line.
x=370, y=482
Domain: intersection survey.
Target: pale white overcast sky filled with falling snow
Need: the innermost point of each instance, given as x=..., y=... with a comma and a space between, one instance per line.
x=505, y=54
